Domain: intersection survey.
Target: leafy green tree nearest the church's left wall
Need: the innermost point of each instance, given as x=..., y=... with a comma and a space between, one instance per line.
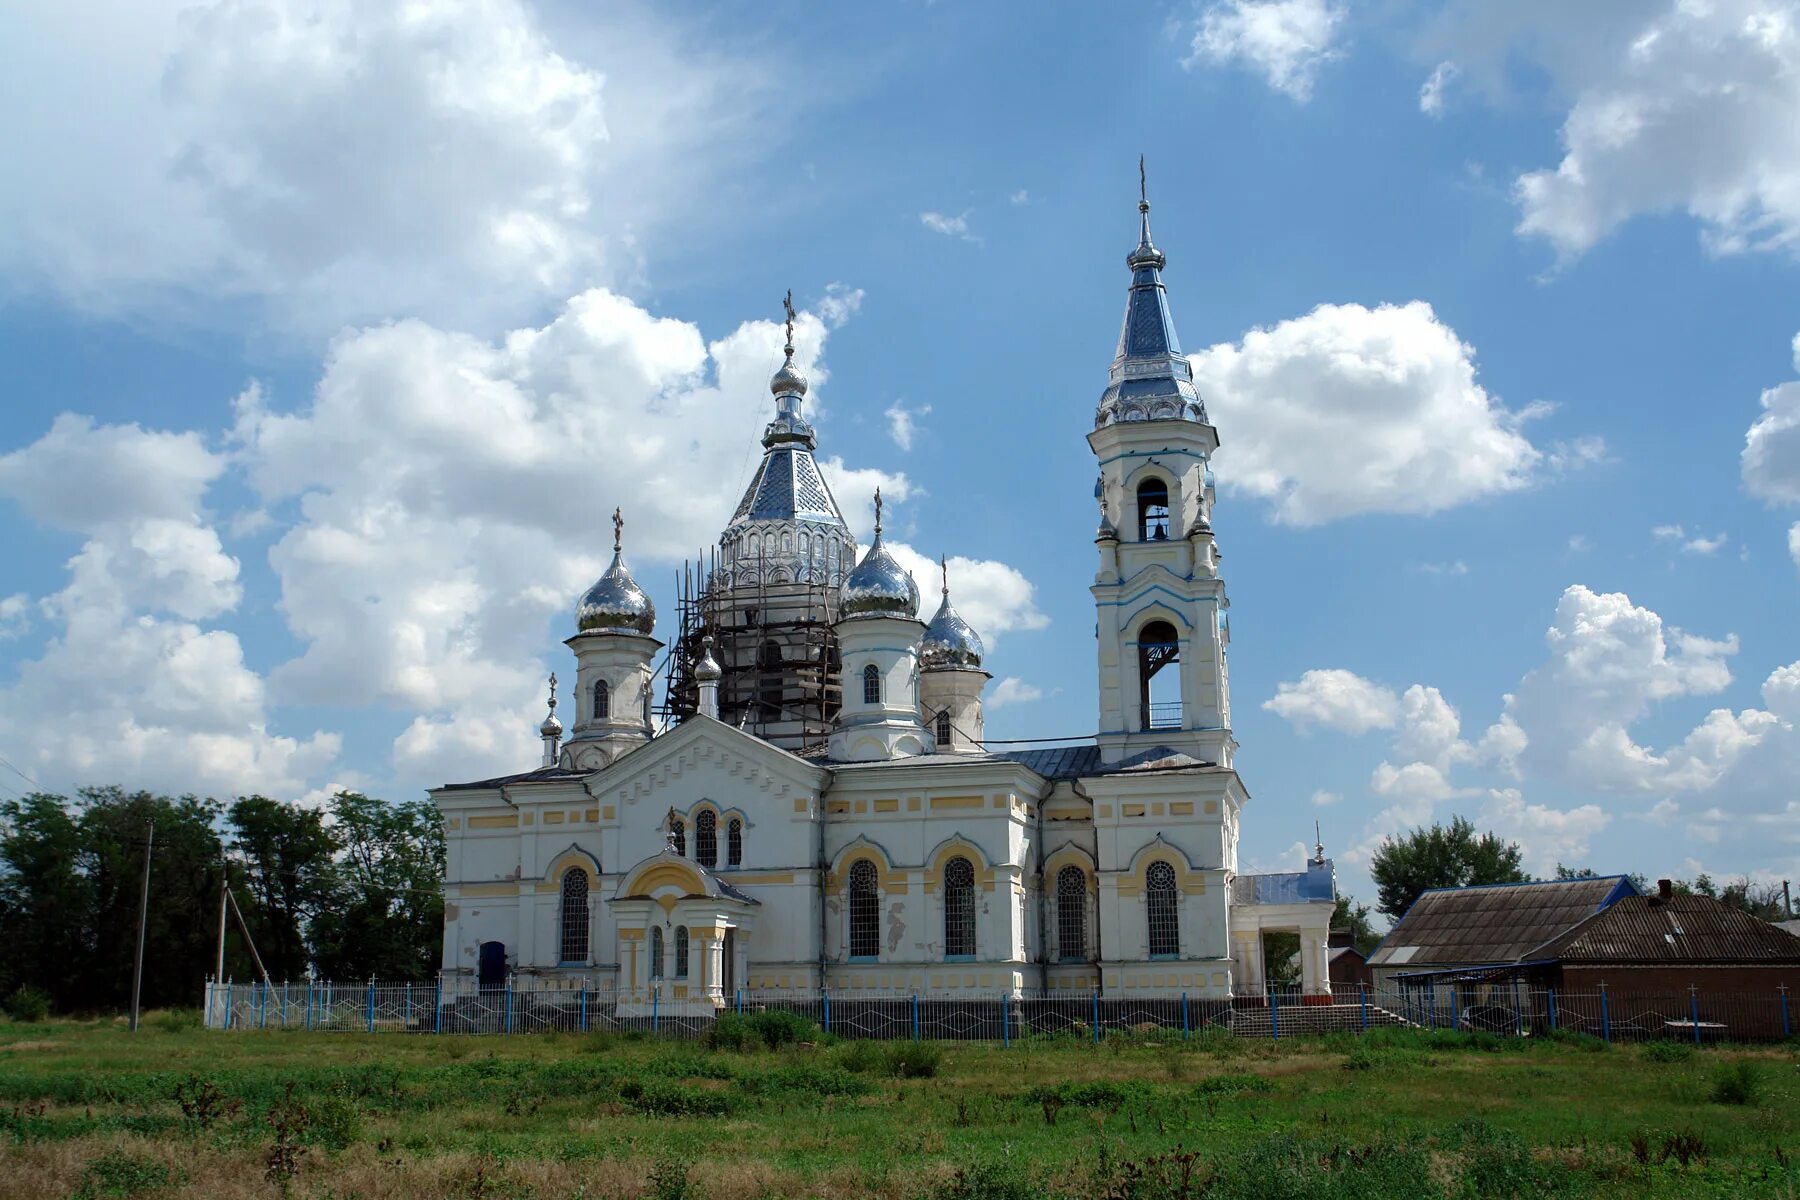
x=386, y=917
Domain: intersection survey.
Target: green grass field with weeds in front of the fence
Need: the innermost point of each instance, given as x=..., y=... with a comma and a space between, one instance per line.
x=91, y=1111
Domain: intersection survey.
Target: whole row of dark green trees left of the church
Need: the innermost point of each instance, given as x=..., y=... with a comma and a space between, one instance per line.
x=346, y=891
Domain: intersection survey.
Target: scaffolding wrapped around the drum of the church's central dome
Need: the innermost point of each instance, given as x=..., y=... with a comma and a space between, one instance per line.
x=775, y=645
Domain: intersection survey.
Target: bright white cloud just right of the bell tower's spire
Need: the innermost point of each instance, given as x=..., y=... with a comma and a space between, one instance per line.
x=1354, y=411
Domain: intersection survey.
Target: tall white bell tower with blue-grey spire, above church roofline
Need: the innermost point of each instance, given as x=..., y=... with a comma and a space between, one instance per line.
x=1158, y=595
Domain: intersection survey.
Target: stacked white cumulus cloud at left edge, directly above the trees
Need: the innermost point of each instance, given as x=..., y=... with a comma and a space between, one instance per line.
x=130, y=686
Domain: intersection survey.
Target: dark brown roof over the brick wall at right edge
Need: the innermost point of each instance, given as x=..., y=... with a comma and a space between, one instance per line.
x=1682, y=929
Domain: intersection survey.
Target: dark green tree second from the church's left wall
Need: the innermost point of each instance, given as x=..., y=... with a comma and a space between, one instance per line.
x=287, y=877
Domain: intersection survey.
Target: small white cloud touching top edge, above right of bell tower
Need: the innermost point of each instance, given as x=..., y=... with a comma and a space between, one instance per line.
x=1286, y=40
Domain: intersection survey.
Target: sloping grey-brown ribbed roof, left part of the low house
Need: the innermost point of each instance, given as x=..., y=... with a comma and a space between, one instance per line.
x=1495, y=924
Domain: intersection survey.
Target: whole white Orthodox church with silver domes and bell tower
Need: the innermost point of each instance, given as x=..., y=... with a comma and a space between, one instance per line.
x=813, y=805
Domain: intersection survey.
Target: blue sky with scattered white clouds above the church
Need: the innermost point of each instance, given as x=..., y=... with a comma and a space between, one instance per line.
x=334, y=332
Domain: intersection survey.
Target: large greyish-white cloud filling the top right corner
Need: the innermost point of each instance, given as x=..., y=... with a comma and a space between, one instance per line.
x=1675, y=107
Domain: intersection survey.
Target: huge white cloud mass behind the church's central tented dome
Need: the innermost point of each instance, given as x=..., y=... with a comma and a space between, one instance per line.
x=453, y=497
